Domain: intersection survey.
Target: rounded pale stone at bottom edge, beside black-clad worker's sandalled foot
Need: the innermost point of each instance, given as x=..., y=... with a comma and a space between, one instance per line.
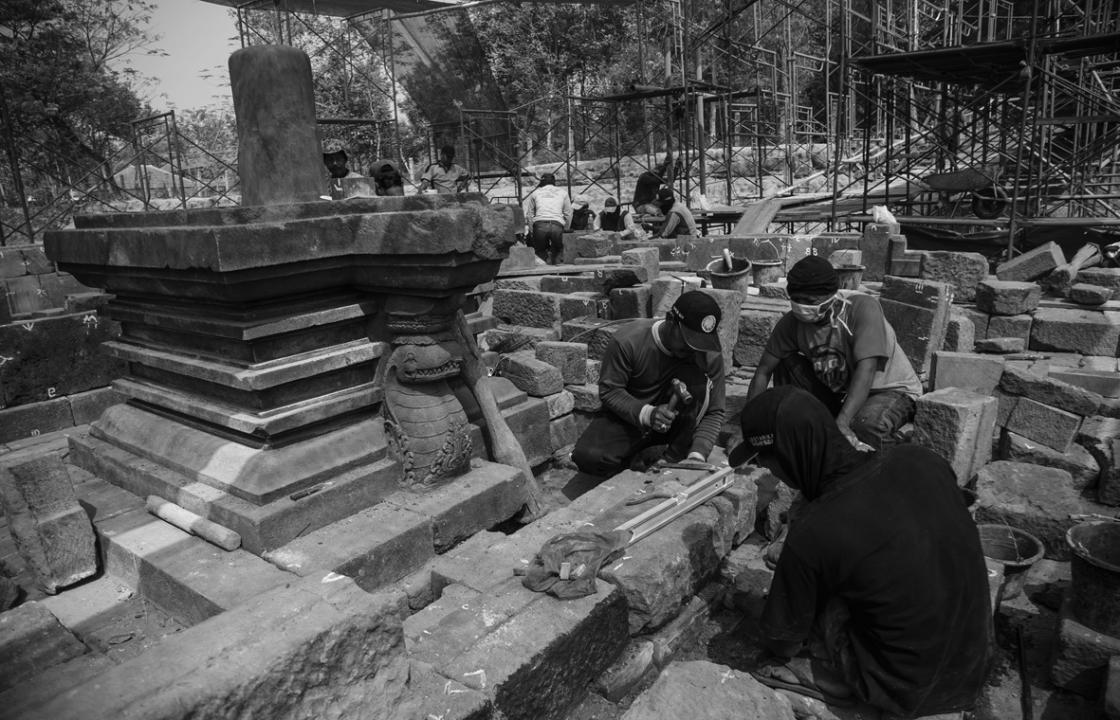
x=702, y=690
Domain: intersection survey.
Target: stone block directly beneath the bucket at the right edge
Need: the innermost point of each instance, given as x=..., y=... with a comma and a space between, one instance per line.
x=1081, y=656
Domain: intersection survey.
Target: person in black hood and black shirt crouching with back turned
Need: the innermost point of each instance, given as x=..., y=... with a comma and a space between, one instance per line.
x=883, y=578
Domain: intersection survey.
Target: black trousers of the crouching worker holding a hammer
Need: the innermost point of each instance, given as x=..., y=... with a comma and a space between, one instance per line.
x=610, y=444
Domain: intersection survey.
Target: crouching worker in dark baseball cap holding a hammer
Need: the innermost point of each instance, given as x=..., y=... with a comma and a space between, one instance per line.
x=637, y=388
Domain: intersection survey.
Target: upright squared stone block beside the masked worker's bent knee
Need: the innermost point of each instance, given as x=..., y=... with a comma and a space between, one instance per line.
x=958, y=425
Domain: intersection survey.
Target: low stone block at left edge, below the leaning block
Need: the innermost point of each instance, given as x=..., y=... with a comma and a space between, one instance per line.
x=33, y=640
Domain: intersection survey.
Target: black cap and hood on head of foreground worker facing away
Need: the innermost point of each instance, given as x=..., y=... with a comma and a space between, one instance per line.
x=796, y=428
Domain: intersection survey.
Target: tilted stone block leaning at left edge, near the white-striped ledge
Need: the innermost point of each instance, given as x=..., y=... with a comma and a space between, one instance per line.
x=52, y=532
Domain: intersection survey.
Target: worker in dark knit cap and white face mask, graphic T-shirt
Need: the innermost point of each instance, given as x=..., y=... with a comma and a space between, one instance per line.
x=837, y=345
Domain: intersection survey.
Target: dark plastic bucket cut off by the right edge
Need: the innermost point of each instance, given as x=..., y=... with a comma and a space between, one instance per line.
x=1096, y=568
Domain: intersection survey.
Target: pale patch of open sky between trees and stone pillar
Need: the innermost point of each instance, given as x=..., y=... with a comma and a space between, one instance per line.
x=199, y=39
